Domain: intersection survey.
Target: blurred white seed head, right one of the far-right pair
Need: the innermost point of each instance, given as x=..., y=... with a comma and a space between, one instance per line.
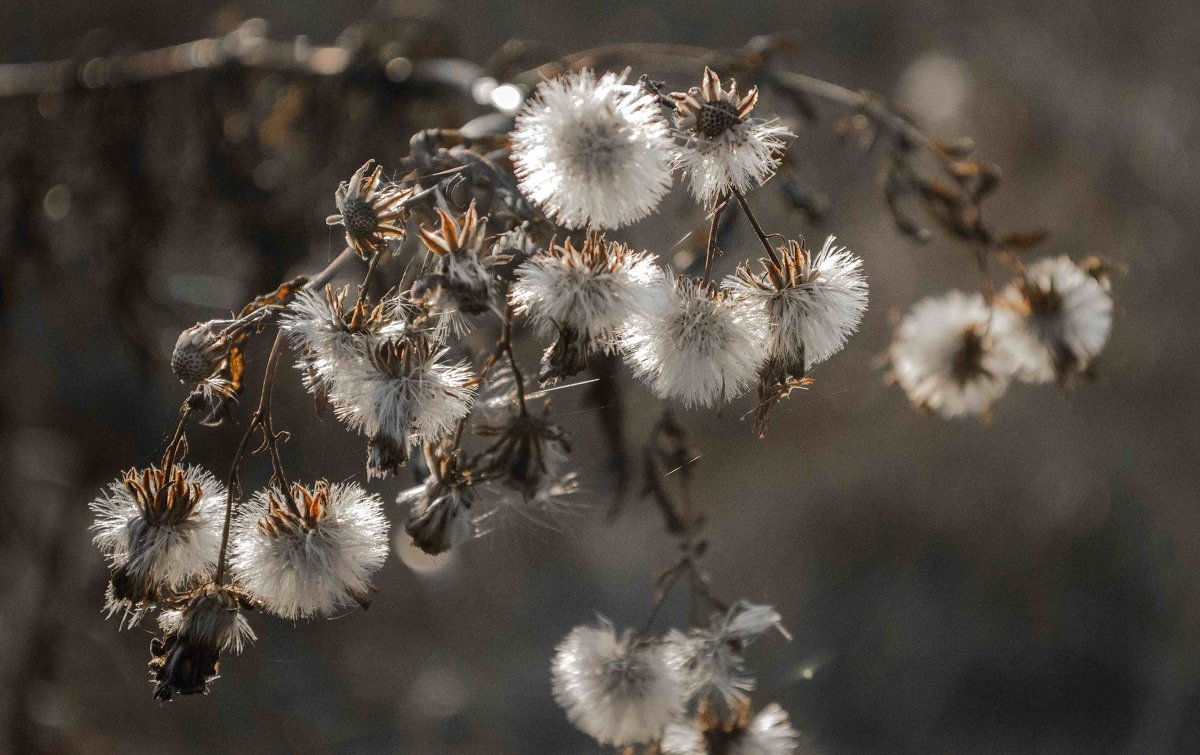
x=1065, y=320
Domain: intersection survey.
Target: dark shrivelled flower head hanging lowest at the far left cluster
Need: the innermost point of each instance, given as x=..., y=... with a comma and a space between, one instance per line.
x=207, y=624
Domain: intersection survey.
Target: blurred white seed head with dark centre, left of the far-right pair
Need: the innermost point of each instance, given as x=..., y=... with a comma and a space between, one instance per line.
x=949, y=357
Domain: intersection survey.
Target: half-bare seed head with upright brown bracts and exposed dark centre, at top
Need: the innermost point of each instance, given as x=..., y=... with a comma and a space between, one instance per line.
x=723, y=149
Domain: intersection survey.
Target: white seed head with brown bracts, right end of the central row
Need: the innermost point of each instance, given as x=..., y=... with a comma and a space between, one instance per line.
x=813, y=303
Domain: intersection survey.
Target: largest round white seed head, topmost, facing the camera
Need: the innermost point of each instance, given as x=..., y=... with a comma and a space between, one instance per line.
x=593, y=152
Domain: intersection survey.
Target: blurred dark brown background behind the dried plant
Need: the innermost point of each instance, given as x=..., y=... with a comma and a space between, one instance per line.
x=1023, y=586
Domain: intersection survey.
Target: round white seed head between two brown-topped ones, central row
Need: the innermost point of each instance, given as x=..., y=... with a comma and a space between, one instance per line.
x=695, y=344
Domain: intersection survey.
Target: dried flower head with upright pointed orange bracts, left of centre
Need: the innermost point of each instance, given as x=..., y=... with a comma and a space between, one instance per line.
x=460, y=285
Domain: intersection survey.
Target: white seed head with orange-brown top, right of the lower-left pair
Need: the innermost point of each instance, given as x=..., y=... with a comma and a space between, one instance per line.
x=311, y=553
